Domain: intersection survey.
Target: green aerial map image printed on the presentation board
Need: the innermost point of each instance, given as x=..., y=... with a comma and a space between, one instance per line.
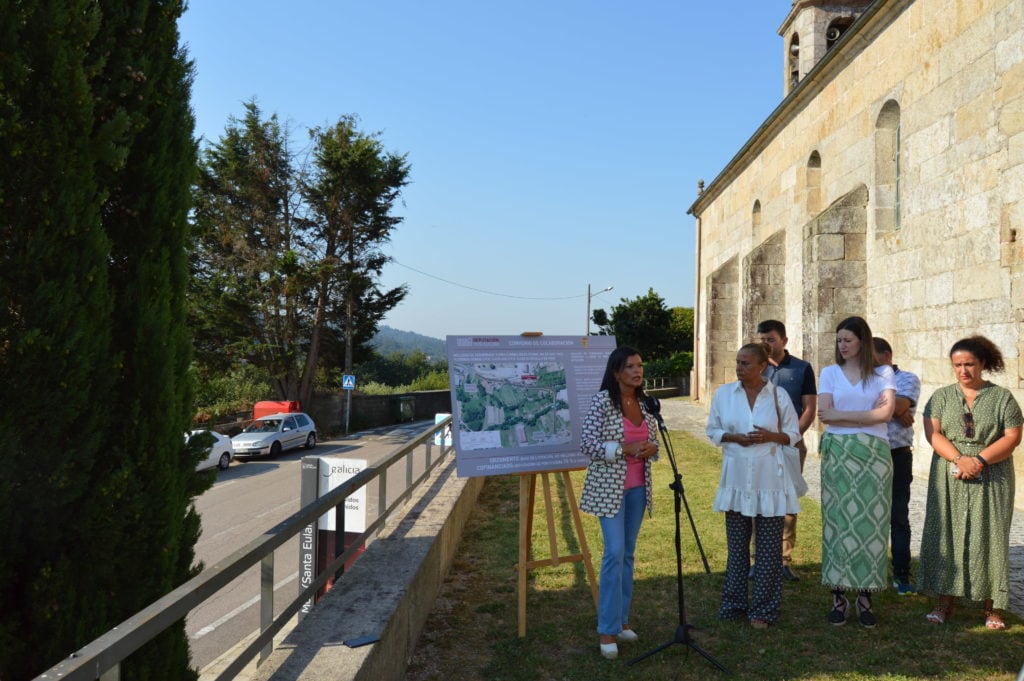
x=511, y=405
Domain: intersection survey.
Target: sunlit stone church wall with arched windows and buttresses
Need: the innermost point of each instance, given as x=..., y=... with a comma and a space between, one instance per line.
x=804, y=225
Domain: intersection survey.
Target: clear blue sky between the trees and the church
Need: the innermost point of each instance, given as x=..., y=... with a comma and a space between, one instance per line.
x=553, y=144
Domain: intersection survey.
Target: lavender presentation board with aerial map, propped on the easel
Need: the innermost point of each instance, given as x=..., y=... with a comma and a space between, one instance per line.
x=519, y=402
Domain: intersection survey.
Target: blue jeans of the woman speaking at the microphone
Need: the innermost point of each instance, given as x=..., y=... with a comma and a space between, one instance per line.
x=616, y=585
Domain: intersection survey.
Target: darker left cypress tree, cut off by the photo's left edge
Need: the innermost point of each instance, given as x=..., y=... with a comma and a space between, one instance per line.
x=55, y=331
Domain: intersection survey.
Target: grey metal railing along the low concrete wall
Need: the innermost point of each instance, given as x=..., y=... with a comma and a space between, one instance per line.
x=102, y=659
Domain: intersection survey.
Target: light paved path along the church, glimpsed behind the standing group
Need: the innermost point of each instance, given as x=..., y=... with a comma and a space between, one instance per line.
x=682, y=414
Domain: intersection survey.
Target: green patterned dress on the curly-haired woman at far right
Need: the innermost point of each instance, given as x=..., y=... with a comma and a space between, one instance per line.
x=965, y=548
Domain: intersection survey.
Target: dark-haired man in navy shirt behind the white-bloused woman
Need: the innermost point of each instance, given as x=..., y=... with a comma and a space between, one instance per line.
x=797, y=378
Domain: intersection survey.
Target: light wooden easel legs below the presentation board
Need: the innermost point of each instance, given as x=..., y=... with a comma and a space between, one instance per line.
x=528, y=494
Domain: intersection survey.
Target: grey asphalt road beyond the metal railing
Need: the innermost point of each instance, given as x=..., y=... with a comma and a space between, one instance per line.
x=248, y=499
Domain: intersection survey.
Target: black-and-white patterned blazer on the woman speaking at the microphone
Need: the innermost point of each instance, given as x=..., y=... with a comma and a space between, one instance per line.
x=604, y=487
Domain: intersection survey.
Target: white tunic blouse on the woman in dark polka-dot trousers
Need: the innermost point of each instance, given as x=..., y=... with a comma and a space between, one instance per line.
x=754, y=482
